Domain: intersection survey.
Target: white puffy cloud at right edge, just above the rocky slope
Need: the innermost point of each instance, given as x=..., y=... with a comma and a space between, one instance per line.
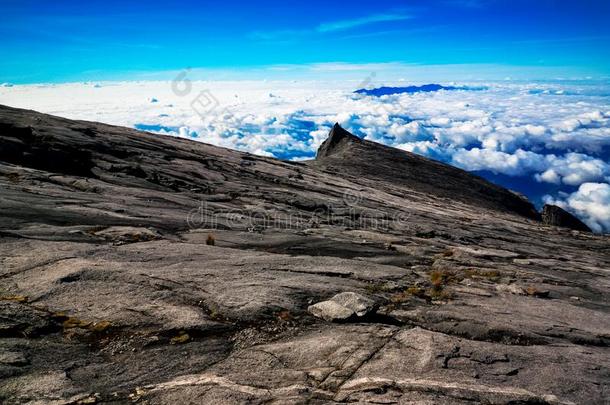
x=591, y=203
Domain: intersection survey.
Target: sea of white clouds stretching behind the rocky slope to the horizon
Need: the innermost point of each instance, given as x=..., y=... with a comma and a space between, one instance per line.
x=547, y=140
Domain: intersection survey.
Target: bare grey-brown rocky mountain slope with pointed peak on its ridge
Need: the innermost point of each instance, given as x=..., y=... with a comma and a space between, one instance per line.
x=142, y=268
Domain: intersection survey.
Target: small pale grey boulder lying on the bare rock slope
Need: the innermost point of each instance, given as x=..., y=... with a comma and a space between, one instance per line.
x=343, y=307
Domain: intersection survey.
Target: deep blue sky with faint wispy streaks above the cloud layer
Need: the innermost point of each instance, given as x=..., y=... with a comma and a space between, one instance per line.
x=60, y=41
